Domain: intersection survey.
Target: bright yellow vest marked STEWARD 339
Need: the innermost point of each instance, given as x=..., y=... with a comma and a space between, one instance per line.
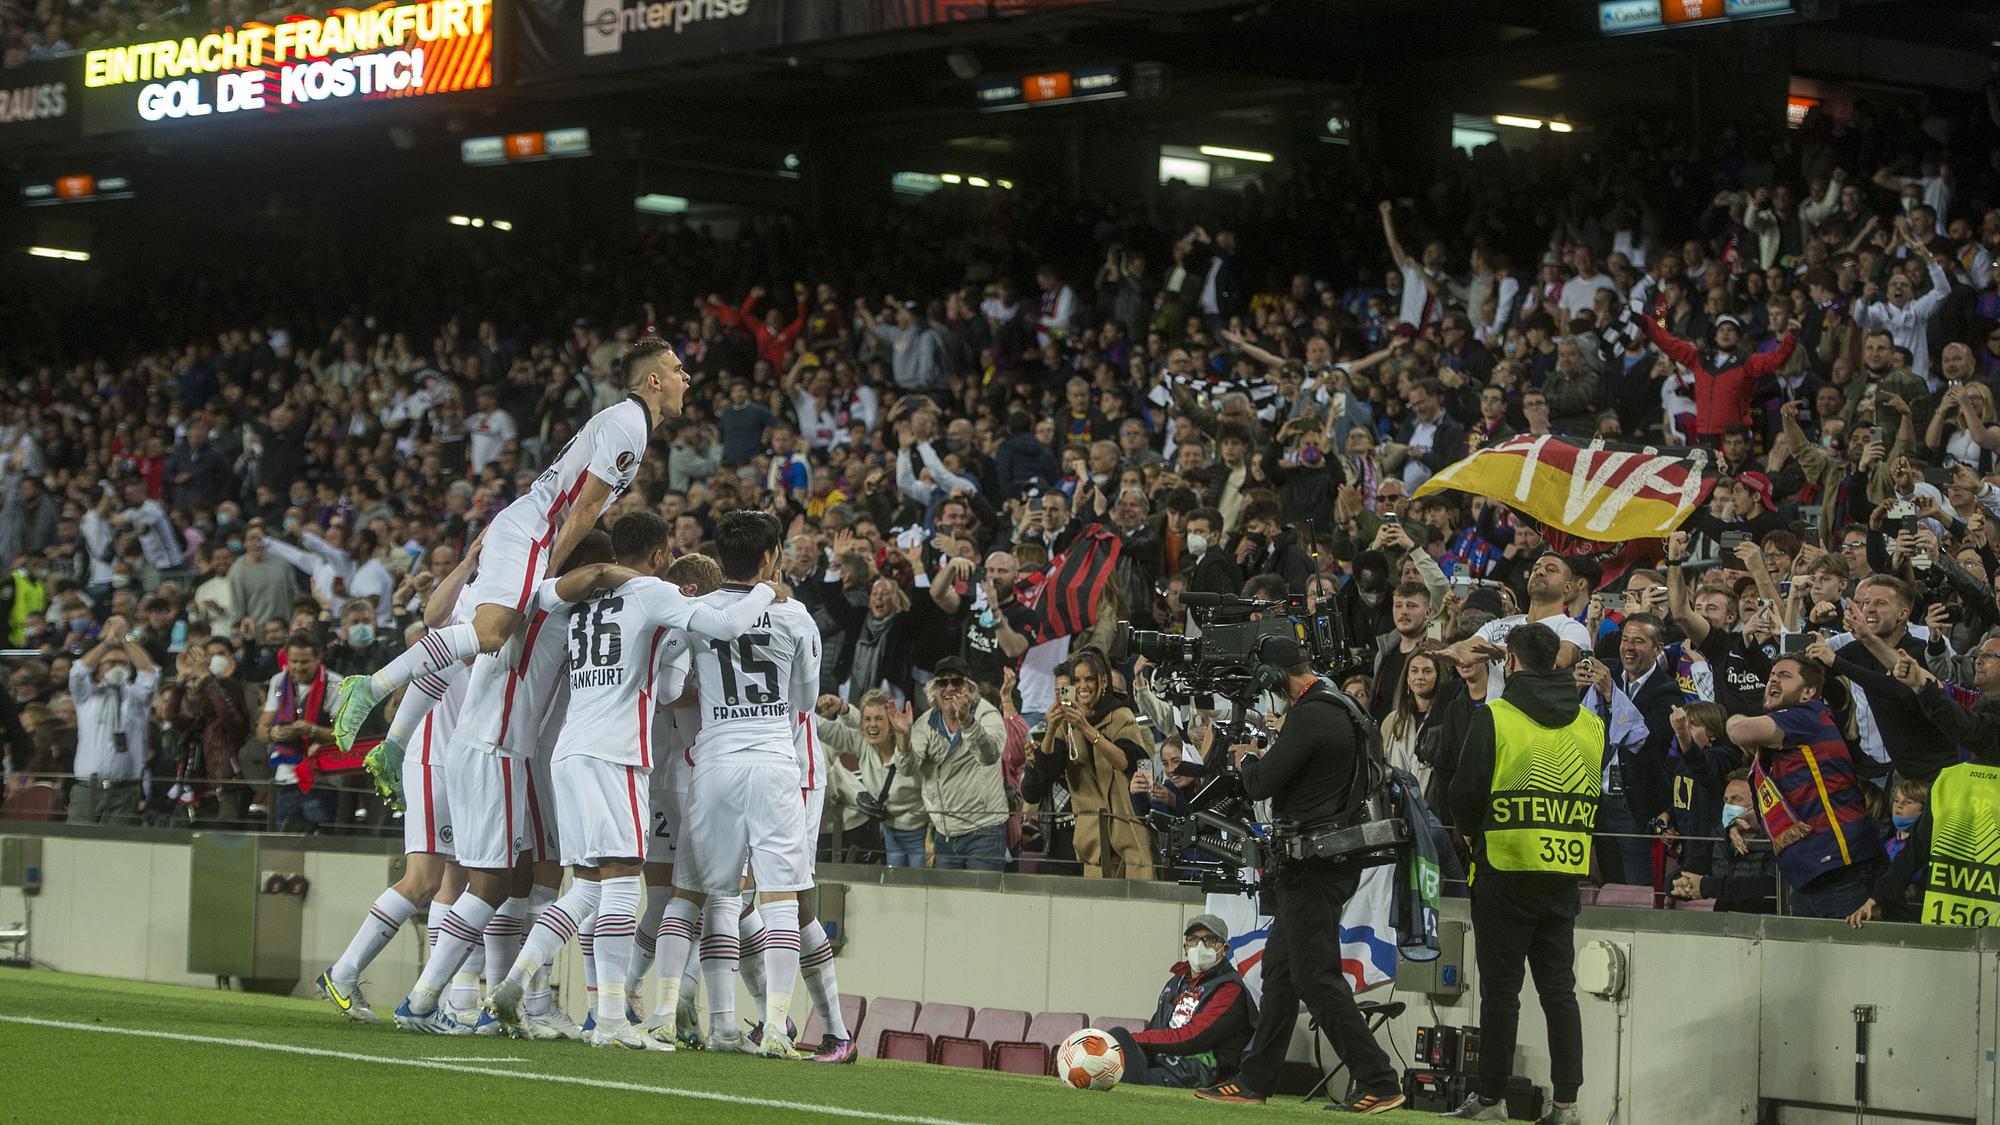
x=1545, y=792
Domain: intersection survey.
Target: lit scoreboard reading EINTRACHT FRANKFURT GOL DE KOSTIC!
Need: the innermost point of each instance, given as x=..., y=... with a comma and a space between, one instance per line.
x=391, y=51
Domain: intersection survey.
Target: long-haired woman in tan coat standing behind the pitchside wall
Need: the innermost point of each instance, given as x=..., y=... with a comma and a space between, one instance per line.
x=1095, y=744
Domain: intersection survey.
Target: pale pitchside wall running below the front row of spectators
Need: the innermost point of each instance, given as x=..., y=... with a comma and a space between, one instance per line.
x=1719, y=1012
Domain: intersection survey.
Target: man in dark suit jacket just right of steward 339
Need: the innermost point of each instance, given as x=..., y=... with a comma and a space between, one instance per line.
x=1635, y=764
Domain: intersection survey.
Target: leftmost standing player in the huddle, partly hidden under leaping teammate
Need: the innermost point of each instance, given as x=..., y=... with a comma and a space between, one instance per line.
x=421, y=794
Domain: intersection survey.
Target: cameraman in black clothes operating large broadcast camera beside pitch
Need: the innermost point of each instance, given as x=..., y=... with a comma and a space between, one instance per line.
x=1309, y=778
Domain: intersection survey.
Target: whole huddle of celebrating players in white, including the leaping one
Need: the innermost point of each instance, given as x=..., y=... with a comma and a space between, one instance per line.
x=643, y=724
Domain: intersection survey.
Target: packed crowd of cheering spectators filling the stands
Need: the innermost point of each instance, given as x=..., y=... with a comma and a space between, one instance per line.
x=1231, y=393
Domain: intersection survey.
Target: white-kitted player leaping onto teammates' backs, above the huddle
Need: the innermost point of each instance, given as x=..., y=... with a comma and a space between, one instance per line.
x=535, y=535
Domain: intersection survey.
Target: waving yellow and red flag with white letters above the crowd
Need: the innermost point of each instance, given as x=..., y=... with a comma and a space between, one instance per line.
x=1601, y=491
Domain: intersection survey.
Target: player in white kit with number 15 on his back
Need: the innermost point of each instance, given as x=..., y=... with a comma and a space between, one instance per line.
x=751, y=792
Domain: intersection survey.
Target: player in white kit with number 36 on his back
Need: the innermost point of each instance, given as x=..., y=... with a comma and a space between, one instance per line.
x=605, y=756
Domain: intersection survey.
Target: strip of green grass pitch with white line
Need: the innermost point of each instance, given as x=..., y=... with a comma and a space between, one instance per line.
x=105, y=1052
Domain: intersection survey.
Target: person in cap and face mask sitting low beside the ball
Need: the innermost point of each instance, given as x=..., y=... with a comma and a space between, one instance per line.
x=1203, y=1022
